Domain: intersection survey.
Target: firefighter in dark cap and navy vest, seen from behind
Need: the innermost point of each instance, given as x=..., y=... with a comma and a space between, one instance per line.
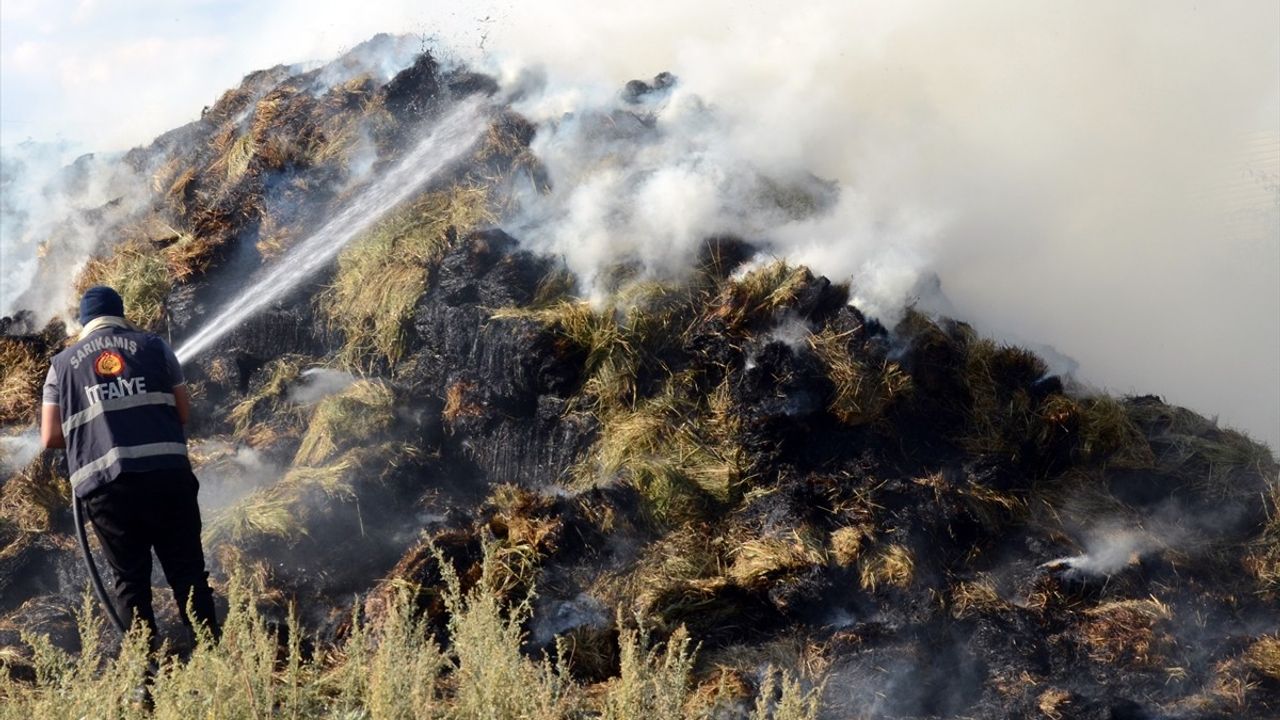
x=118, y=403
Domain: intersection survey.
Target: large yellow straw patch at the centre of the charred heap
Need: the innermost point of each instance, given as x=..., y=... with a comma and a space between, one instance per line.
x=676, y=443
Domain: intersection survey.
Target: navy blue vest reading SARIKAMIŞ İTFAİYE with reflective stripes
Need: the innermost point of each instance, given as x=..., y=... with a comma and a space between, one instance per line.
x=116, y=395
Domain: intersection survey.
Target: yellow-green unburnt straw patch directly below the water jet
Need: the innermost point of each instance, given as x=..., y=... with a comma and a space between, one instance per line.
x=383, y=274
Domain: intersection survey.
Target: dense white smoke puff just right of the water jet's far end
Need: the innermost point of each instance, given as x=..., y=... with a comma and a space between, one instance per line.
x=637, y=183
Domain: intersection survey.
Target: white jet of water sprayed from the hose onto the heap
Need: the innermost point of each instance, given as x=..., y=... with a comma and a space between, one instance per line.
x=451, y=135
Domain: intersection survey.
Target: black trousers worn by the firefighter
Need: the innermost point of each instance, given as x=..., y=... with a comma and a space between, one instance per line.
x=140, y=512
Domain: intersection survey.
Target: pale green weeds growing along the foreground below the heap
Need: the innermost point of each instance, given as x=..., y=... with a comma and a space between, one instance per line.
x=391, y=671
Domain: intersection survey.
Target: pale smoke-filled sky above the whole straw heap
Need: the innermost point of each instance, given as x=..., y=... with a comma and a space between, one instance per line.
x=1098, y=177
